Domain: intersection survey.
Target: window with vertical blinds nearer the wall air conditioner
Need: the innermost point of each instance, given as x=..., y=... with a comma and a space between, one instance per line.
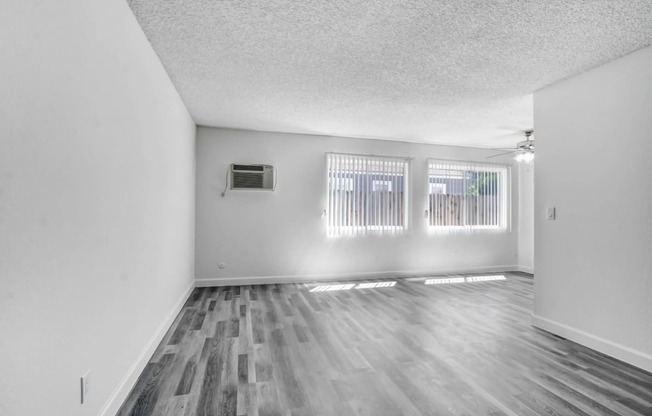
x=366, y=194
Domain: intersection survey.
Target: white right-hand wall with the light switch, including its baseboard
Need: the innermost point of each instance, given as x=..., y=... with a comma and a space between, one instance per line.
x=594, y=264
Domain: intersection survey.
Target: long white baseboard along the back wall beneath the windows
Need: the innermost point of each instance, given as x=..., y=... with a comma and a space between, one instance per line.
x=262, y=280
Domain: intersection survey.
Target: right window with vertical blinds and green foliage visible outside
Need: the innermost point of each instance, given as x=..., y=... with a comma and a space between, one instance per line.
x=467, y=196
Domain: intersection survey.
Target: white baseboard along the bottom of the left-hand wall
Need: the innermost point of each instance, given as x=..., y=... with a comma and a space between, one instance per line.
x=120, y=394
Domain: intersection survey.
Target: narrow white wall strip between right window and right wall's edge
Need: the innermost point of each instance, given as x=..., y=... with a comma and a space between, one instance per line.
x=526, y=217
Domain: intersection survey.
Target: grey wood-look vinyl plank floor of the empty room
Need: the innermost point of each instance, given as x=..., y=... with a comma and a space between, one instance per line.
x=409, y=349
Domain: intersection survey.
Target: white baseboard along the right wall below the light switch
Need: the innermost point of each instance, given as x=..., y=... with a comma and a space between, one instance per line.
x=621, y=352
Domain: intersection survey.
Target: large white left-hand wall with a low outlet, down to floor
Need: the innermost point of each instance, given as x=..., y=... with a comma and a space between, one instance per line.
x=96, y=203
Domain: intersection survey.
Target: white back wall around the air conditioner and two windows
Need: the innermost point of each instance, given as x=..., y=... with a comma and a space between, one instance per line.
x=281, y=235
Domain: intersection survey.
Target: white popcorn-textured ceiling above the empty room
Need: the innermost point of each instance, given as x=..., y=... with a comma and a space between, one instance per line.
x=451, y=72
